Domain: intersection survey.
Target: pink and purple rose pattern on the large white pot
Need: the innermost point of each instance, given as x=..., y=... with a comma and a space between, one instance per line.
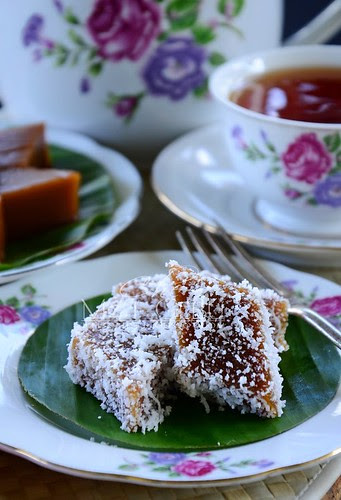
x=165, y=37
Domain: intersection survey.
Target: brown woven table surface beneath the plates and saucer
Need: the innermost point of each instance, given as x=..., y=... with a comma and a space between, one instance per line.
x=154, y=229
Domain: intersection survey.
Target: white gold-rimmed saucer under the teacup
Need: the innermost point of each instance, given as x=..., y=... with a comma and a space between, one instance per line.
x=194, y=178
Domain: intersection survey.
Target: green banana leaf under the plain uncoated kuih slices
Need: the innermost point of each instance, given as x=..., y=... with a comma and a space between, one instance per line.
x=97, y=204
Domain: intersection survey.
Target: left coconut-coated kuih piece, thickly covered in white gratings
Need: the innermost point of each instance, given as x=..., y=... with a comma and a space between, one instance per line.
x=120, y=356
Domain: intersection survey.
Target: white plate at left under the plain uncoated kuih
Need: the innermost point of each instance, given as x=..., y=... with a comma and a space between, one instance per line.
x=128, y=186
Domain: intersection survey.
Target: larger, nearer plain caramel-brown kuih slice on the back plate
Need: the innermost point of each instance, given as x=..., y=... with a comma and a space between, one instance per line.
x=34, y=200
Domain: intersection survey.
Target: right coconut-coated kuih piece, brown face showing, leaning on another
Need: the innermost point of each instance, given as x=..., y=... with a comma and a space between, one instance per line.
x=225, y=348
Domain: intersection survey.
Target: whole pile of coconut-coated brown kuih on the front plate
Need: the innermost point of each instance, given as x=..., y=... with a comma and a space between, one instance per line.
x=210, y=335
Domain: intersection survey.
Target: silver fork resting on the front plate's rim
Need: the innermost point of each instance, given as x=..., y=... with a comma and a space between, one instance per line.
x=209, y=251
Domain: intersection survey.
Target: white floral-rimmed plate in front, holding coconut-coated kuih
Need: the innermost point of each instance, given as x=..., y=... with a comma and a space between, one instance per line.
x=315, y=440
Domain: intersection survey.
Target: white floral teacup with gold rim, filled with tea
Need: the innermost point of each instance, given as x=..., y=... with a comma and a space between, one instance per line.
x=293, y=168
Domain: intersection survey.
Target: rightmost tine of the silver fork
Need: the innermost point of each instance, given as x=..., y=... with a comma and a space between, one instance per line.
x=258, y=274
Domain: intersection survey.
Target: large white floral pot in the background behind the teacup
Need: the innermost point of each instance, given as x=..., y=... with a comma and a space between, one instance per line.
x=130, y=73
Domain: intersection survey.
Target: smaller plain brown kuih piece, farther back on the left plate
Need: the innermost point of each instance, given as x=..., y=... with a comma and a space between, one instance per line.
x=24, y=147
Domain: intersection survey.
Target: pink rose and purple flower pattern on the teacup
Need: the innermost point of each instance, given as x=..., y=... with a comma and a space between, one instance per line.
x=311, y=165
